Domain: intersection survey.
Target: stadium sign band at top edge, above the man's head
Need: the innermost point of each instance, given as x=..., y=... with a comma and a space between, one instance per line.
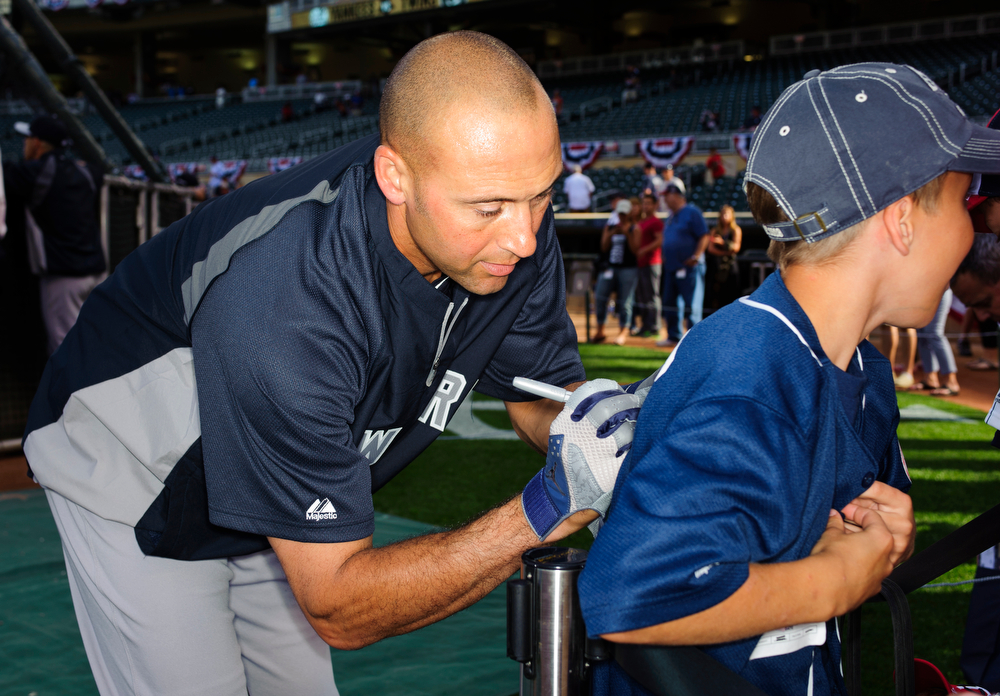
x=312, y=14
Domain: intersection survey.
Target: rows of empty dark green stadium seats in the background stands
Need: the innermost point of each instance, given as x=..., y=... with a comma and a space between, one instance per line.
x=670, y=103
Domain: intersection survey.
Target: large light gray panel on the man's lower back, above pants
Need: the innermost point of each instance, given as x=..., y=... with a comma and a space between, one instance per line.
x=116, y=441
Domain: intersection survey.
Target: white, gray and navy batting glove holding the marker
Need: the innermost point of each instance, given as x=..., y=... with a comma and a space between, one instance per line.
x=588, y=441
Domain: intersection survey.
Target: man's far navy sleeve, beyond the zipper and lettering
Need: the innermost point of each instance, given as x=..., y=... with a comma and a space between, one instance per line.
x=542, y=342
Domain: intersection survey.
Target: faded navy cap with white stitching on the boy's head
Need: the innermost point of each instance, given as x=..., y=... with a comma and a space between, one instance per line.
x=842, y=144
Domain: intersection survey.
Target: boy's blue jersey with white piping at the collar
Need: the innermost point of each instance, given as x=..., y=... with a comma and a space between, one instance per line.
x=742, y=448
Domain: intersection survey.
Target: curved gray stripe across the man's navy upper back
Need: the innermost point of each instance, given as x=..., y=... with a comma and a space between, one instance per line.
x=217, y=261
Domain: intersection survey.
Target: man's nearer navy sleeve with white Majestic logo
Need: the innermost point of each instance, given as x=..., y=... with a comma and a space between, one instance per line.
x=280, y=367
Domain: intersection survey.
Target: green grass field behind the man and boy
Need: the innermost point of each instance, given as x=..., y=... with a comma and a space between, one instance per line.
x=955, y=477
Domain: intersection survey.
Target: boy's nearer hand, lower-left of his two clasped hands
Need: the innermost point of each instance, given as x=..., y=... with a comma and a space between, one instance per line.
x=858, y=561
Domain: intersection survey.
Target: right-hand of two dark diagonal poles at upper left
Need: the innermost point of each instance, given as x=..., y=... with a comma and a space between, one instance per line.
x=72, y=66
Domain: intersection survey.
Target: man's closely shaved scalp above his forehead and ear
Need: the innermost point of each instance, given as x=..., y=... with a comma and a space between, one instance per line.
x=464, y=68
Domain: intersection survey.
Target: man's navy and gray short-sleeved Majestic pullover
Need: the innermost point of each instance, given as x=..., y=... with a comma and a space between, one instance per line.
x=260, y=367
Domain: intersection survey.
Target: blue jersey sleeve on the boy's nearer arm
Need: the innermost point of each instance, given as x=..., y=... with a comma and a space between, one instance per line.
x=710, y=494
